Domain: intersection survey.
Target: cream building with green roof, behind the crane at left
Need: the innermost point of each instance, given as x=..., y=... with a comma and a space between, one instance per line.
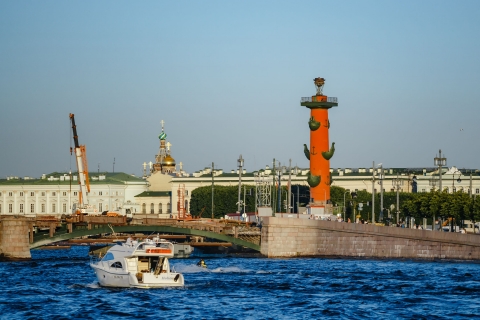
x=56, y=193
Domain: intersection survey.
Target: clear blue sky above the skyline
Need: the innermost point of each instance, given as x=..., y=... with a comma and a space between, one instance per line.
x=227, y=78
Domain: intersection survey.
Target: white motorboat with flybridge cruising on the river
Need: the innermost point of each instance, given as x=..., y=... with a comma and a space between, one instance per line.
x=137, y=264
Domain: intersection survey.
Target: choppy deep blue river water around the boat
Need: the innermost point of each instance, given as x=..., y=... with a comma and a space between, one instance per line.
x=59, y=284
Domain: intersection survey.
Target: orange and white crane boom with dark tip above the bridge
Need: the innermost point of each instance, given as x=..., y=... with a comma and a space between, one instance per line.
x=82, y=167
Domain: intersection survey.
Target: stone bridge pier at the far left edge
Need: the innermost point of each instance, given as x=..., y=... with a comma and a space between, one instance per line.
x=14, y=238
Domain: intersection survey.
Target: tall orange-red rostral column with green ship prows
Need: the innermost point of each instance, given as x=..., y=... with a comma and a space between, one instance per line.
x=320, y=152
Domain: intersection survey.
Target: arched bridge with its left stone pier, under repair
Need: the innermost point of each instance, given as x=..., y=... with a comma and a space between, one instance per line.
x=18, y=236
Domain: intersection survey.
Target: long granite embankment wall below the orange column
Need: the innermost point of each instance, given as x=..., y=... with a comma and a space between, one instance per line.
x=292, y=237
